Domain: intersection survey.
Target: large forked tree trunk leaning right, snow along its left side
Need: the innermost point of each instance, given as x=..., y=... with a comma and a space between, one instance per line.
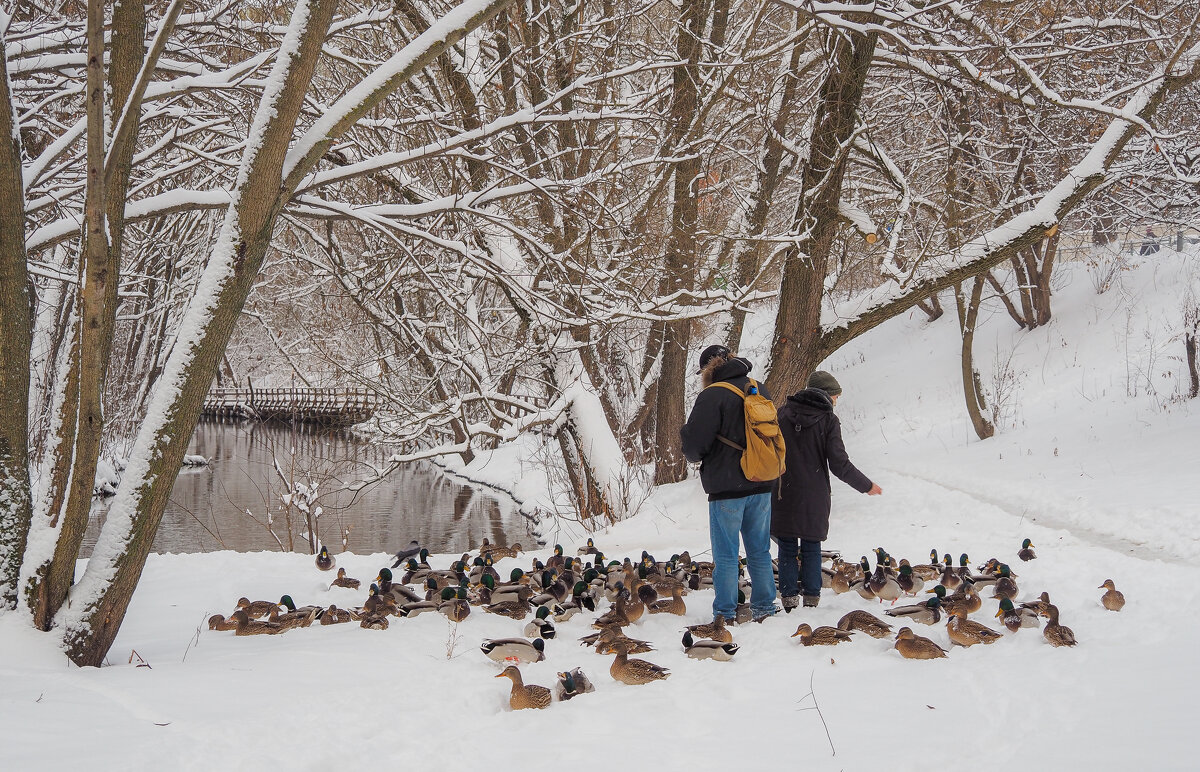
x=267, y=179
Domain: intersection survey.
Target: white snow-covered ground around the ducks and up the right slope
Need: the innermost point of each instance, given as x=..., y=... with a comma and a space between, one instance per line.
x=1100, y=472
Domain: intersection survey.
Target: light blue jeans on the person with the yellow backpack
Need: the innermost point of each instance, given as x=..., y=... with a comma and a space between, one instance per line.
x=749, y=518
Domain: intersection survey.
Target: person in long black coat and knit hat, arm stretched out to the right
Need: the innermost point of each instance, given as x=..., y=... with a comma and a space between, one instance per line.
x=801, y=512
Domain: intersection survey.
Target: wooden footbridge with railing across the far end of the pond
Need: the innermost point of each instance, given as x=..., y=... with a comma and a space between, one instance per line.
x=332, y=408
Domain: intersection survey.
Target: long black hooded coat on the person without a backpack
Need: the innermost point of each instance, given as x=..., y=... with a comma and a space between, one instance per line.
x=814, y=448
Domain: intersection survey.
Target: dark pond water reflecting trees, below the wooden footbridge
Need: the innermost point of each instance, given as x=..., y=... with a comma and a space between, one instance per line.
x=241, y=502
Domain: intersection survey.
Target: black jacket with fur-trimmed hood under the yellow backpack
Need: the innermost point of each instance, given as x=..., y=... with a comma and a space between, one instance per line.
x=719, y=411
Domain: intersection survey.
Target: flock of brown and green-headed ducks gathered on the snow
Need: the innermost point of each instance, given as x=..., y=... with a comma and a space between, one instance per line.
x=565, y=587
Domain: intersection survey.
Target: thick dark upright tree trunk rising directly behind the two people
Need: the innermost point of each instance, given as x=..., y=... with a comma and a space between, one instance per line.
x=796, y=349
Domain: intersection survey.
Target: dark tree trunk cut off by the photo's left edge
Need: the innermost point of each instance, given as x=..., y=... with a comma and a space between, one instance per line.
x=16, y=334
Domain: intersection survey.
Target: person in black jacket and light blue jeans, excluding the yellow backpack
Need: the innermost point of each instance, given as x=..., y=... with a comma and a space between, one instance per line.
x=737, y=507
